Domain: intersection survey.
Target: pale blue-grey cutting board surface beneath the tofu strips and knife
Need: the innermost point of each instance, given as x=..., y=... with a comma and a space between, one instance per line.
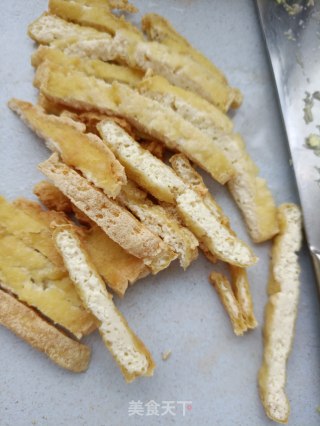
x=175, y=310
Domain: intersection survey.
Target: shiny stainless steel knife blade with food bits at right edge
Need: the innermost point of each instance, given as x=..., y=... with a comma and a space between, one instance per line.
x=292, y=36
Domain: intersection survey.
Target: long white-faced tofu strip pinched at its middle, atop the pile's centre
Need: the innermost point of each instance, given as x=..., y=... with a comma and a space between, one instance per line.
x=158, y=178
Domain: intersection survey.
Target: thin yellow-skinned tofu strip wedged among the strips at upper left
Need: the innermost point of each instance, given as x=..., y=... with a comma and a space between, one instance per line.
x=92, y=67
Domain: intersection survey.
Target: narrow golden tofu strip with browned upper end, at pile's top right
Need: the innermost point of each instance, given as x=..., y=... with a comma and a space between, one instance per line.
x=157, y=28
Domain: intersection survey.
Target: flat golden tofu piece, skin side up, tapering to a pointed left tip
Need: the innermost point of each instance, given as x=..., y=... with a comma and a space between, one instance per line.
x=66, y=137
